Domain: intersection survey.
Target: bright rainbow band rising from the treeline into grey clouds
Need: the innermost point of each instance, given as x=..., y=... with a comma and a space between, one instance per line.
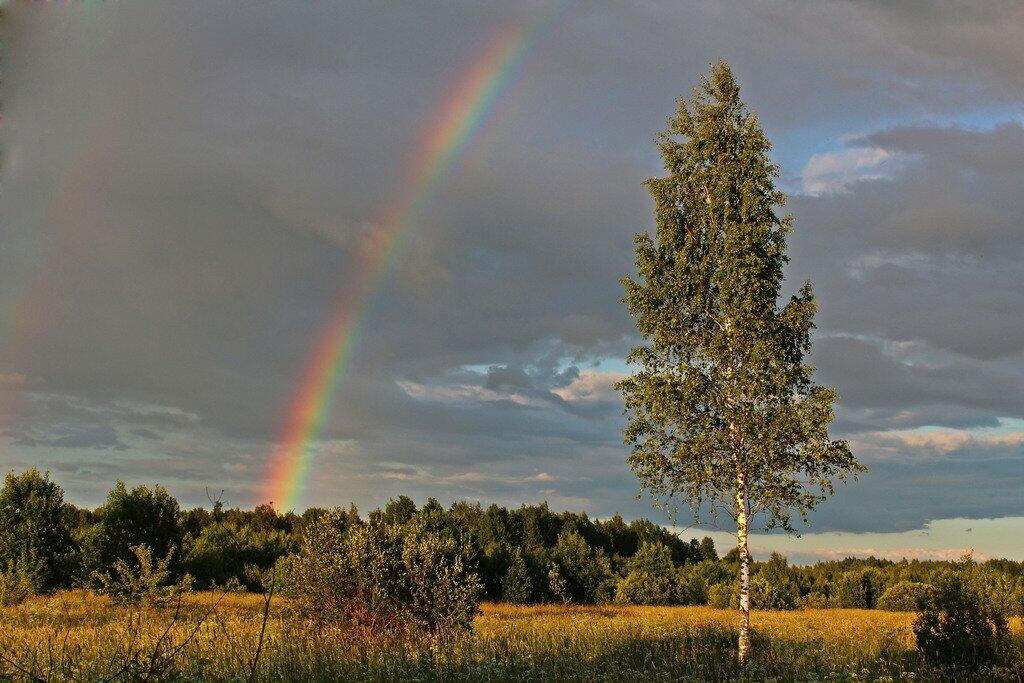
x=456, y=124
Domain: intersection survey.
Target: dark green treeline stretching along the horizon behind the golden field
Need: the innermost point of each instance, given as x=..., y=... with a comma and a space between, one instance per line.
x=525, y=556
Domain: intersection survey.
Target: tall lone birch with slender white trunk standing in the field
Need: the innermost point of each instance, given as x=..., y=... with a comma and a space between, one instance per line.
x=723, y=414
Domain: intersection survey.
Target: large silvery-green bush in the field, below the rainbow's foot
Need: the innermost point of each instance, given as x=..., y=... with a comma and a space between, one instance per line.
x=386, y=579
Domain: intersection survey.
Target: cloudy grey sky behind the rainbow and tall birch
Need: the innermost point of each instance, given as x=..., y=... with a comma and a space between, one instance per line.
x=187, y=190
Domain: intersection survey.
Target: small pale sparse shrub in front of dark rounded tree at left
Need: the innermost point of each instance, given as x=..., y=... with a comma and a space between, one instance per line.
x=145, y=581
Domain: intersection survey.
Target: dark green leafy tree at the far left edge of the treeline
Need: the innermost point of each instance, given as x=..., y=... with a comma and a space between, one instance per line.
x=35, y=539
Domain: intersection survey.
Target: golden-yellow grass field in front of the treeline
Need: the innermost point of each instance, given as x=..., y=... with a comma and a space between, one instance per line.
x=78, y=636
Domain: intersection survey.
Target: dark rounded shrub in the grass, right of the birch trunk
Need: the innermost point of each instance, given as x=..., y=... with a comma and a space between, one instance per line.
x=958, y=628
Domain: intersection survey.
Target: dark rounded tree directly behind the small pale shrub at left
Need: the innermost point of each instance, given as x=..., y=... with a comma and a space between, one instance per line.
x=141, y=517
